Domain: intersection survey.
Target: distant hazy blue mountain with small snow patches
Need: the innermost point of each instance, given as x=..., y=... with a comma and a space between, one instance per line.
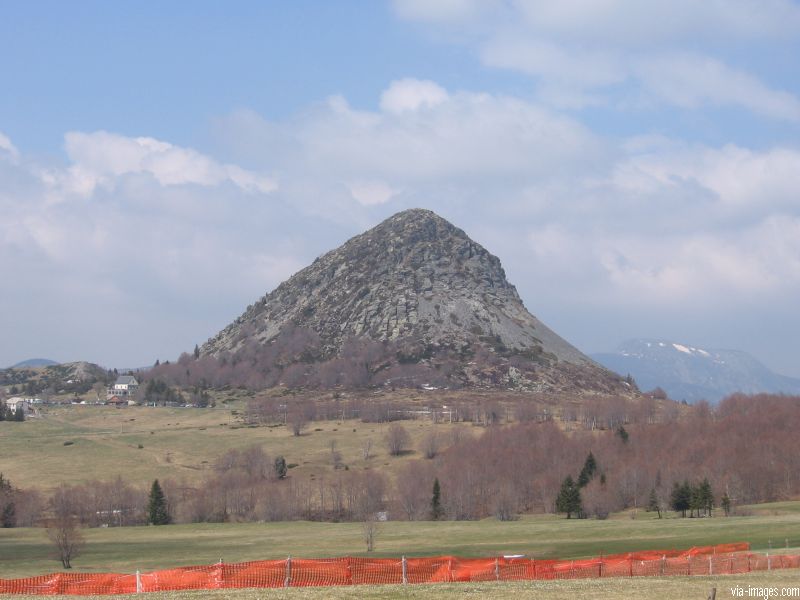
x=692, y=374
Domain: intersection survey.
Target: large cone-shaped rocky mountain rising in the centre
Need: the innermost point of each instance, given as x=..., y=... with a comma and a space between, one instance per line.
x=419, y=301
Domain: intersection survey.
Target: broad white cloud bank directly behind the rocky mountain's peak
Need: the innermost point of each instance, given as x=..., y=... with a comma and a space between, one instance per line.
x=648, y=225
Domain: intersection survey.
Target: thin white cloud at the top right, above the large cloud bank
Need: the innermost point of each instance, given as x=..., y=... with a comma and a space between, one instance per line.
x=629, y=54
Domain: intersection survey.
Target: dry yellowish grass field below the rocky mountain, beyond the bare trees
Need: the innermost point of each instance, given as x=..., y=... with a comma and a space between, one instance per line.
x=103, y=442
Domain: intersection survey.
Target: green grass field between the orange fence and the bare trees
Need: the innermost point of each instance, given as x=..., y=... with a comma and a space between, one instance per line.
x=26, y=551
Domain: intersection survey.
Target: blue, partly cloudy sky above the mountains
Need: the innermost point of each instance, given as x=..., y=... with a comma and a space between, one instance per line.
x=634, y=165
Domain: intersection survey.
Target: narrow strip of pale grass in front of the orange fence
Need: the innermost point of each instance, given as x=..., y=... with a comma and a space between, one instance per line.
x=666, y=588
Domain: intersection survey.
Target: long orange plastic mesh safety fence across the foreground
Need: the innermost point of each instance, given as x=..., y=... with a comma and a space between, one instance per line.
x=292, y=572
